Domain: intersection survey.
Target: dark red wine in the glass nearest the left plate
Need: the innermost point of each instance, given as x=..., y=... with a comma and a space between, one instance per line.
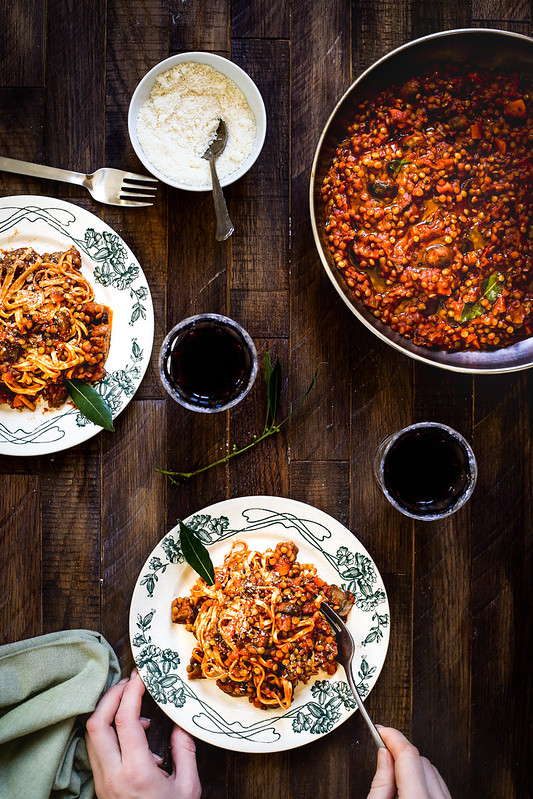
x=208, y=364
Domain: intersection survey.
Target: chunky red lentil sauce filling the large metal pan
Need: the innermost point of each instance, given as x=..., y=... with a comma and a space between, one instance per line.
x=428, y=205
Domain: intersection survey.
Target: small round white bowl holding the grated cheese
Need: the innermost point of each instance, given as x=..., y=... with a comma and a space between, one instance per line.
x=231, y=71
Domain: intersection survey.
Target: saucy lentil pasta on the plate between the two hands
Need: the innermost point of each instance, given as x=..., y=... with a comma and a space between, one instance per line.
x=259, y=628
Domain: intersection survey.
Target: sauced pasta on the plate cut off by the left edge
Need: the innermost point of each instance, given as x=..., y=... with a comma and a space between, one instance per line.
x=50, y=327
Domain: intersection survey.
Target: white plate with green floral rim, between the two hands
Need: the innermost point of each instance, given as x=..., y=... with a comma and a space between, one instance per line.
x=162, y=649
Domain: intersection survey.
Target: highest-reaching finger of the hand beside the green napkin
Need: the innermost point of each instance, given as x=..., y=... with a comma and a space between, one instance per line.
x=130, y=729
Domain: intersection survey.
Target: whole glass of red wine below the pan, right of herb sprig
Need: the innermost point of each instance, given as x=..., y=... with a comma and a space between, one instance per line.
x=427, y=471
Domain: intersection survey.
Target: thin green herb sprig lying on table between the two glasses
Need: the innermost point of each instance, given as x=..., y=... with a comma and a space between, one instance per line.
x=273, y=380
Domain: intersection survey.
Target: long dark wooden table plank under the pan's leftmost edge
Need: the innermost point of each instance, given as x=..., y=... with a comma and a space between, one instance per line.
x=323, y=29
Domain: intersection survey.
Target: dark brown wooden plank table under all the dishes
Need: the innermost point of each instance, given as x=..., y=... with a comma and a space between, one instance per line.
x=77, y=526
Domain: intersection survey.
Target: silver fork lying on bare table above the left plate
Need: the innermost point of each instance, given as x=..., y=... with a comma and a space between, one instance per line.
x=111, y=186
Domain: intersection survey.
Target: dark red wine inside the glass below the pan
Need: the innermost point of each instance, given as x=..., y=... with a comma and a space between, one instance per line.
x=426, y=471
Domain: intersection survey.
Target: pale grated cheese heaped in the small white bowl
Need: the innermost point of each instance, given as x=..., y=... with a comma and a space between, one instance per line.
x=180, y=118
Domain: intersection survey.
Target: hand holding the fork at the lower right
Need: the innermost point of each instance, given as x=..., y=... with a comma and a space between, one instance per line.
x=402, y=772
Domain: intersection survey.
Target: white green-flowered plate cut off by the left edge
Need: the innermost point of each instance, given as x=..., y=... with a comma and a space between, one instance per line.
x=50, y=225
